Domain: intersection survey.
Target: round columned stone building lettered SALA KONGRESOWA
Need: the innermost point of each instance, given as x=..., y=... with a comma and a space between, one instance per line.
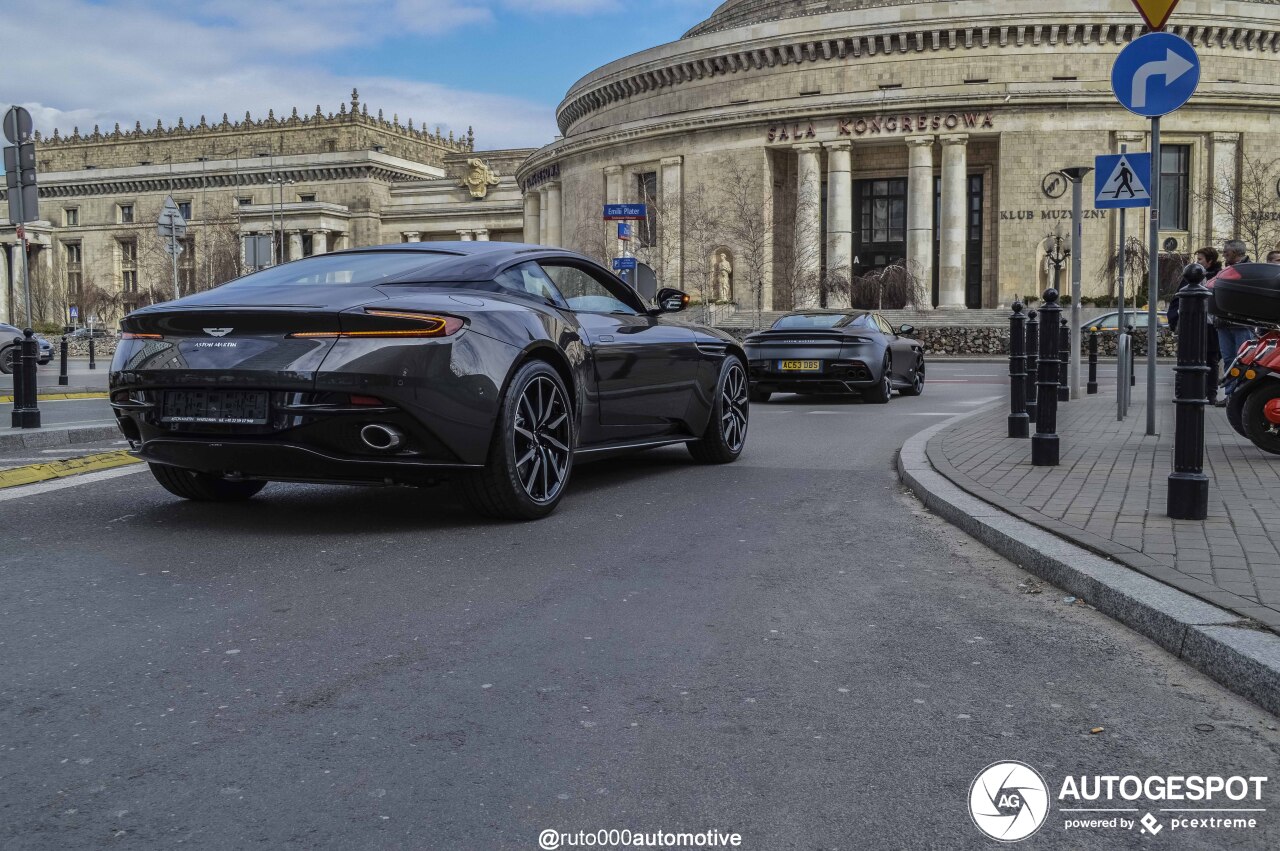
x=787, y=148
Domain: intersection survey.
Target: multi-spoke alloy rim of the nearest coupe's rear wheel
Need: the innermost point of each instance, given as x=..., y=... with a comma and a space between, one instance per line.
x=542, y=440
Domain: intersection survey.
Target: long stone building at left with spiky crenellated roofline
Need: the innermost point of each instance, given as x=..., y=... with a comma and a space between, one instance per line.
x=317, y=184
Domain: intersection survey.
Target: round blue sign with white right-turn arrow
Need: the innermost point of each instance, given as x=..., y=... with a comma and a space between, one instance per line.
x=1155, y=75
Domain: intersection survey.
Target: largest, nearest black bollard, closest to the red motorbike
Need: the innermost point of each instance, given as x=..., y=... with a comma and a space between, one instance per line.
x=1188, y=486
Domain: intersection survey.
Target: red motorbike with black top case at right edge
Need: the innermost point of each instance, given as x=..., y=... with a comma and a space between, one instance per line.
x=1250, y=294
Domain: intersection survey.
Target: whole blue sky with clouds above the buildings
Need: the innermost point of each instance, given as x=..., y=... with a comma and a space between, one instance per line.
x=501, y=66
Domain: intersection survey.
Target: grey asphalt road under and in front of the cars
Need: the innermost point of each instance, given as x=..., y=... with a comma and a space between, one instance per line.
x=788, y=648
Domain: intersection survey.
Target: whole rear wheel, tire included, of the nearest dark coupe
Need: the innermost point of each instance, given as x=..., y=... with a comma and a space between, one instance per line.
x=515, y=483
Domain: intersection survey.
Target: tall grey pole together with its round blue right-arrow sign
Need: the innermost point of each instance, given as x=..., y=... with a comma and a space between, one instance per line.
x=1154, y=76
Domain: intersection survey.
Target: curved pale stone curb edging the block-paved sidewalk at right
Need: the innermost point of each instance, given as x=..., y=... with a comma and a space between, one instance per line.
x=1210, y=639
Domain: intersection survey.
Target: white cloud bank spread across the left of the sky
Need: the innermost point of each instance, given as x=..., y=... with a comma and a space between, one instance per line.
x=138, y=61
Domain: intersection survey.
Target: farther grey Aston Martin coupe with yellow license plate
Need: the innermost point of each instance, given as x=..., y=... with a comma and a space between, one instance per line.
x=835, y=351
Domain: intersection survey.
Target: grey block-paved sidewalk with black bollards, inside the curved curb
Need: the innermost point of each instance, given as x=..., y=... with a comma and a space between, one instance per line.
x=1110, y=491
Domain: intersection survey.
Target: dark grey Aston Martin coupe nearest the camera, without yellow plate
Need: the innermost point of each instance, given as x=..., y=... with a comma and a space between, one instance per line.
x=496, y=365
